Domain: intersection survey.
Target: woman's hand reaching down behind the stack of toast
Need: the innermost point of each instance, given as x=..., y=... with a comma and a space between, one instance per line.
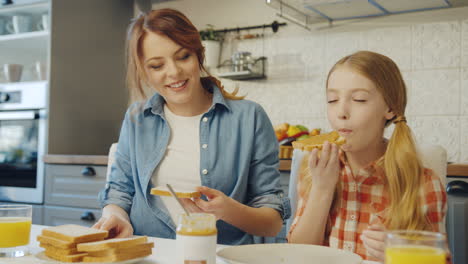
x=115, y=220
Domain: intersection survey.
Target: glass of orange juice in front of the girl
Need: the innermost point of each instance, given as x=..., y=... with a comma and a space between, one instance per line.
x=415, y=247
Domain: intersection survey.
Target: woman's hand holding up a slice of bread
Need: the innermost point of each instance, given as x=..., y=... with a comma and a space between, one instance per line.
x=218, y=203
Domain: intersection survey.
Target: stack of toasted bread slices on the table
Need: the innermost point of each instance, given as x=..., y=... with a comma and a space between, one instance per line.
x=74, y=243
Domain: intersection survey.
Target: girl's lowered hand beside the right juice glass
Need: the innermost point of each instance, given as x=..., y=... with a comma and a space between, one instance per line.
x=374, y=241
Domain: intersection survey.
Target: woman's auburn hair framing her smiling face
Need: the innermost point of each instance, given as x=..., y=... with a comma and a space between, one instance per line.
x=176, y=26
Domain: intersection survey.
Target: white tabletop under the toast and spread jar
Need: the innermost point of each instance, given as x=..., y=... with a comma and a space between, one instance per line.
x=163, y=251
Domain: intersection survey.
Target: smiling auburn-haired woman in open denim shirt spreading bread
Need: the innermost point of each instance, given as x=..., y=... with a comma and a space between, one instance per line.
x=190, y=133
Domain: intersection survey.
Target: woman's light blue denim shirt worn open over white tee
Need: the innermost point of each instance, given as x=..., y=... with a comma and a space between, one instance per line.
x=241, y=160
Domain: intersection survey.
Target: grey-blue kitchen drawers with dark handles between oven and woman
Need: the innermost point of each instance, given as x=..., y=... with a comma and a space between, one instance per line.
x=71, y=190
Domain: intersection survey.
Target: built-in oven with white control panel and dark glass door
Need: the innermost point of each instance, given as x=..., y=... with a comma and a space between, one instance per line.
x=22, y=141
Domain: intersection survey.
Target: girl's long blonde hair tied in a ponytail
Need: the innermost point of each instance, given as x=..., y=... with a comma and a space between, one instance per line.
x=402, y=166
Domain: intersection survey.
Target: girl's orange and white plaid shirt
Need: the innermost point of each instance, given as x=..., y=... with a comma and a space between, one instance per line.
x=364, y=200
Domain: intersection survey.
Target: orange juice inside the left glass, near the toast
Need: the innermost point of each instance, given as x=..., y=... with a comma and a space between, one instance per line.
x=14, y=231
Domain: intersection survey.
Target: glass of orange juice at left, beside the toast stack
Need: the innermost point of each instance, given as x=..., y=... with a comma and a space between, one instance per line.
x=15, y=226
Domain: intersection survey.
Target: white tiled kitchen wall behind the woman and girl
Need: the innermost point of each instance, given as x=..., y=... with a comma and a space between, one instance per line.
x=433, y=57
